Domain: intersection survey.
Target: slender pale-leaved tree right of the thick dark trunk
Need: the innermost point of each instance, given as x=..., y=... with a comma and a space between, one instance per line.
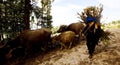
x=46, y=16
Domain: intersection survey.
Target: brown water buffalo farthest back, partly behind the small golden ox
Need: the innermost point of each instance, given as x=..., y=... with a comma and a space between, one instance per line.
x=75, y=27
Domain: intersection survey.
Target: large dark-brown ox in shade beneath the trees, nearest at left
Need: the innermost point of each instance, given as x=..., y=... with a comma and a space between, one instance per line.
x=31, y=40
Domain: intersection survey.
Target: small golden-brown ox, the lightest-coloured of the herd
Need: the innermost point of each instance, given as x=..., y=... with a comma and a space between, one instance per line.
x=65, y=39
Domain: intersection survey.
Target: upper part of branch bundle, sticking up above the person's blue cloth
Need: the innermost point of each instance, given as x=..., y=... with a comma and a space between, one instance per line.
x=94, y=11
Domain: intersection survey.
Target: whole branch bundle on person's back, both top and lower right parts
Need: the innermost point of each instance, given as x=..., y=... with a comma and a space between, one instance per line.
x=95, y=12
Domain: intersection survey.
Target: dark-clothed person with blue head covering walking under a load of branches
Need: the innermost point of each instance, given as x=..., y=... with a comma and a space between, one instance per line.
x=91, y=31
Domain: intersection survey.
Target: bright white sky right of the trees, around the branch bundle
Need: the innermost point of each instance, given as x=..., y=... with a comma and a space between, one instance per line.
x=65, y=11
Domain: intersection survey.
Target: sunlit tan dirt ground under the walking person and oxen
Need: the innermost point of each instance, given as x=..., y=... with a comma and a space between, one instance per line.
x=104, y=55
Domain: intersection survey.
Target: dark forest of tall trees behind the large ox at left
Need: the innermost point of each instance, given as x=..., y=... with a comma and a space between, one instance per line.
x=16, y=15
